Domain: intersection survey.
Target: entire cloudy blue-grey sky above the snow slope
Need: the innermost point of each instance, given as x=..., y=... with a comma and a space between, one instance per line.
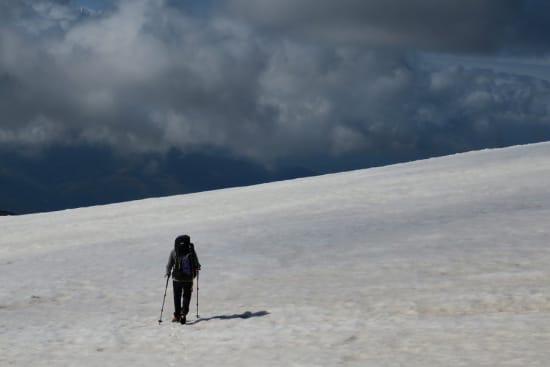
x=279, y=88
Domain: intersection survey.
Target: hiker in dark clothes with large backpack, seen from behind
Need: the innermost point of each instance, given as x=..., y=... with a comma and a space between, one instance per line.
x=184, y=265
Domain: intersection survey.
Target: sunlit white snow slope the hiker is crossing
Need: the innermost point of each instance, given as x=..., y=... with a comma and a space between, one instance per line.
x=442, y=262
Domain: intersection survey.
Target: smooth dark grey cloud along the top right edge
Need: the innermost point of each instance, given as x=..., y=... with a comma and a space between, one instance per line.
x=451, y=25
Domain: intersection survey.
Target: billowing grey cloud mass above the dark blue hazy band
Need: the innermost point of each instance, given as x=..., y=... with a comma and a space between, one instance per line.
x=144, y=76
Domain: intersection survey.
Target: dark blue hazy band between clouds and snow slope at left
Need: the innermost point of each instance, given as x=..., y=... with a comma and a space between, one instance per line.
x=96, y=176
